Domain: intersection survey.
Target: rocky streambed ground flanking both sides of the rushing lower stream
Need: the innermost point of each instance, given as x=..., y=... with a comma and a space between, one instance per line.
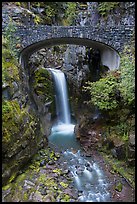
x=48, y=179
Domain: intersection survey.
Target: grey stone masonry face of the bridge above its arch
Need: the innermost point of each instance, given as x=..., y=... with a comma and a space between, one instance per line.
x=115, y=37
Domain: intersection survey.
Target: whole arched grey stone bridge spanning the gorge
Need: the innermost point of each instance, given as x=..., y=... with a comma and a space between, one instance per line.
x=109, y=40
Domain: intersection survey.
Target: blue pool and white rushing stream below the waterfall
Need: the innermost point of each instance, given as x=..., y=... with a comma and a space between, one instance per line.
x=88, y=178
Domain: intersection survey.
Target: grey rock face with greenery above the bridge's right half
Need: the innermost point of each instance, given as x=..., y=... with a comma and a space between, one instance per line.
x=104, y=14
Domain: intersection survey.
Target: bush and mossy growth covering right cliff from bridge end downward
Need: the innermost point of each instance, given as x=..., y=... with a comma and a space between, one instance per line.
x=114, y=96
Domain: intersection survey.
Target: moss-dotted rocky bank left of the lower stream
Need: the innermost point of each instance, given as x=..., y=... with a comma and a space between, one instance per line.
x=44, y=180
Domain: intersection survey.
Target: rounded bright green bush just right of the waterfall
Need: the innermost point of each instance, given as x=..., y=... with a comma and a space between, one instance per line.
x=103, y=92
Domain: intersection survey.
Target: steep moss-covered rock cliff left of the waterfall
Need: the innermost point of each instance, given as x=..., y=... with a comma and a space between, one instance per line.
x=22, y=133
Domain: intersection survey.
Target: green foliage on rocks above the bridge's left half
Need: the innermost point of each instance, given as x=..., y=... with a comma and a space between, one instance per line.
x=59, y=13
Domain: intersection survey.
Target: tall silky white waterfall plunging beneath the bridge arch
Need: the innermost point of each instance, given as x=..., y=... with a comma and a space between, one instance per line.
x=62, y=104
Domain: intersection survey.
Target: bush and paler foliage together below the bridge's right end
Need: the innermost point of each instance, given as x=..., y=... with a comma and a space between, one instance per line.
x=116, y=89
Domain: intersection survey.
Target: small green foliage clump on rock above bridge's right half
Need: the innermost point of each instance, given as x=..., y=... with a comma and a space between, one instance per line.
x=104, y=8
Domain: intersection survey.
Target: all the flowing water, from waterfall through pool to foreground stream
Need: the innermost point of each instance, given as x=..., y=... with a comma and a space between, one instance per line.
x=88, y=178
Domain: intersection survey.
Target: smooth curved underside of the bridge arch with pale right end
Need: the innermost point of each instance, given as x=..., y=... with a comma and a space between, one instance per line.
x=109, y=56
